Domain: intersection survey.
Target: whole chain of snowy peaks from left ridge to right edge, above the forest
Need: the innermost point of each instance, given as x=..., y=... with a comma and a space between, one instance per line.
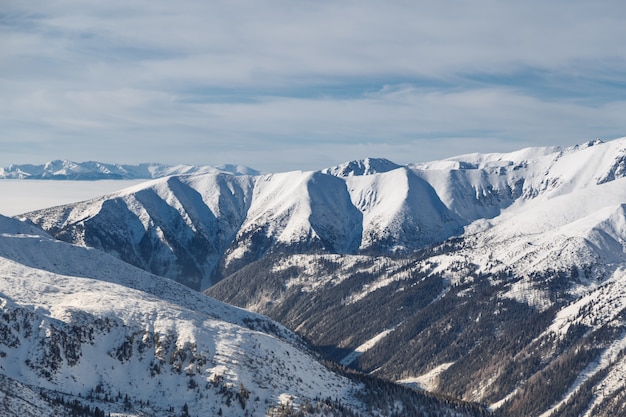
x=199, y=228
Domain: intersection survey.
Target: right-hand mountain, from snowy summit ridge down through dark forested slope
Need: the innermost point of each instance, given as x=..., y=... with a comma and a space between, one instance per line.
x=525, y=310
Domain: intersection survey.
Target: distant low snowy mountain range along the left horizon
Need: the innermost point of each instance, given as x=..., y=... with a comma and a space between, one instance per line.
x=68, y=170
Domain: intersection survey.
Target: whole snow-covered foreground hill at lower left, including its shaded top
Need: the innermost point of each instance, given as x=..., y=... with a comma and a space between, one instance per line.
x=82, y=332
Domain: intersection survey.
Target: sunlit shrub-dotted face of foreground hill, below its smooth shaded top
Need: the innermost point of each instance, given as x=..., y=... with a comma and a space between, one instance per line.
x=146, y=338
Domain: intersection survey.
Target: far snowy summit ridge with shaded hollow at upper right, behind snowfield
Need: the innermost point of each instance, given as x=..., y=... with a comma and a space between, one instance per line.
x=482, y=185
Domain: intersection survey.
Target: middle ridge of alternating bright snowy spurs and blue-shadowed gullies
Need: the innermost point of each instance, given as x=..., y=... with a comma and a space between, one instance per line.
x=198, y=228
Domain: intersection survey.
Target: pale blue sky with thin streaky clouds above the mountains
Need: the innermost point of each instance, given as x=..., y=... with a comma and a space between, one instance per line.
x=280, y=85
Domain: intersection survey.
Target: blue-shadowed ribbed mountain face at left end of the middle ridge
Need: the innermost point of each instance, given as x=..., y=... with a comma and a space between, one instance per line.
x=177, y=227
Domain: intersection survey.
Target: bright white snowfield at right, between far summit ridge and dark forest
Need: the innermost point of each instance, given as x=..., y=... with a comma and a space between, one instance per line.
x=554, y=230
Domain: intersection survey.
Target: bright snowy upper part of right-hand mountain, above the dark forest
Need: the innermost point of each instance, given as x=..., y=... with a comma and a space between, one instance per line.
x=540, y=208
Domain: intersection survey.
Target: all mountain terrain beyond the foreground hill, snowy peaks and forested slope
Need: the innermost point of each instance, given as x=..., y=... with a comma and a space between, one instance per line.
x=492, y=278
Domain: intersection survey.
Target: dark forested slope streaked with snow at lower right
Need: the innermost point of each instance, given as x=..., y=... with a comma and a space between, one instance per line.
x=524, y=344
